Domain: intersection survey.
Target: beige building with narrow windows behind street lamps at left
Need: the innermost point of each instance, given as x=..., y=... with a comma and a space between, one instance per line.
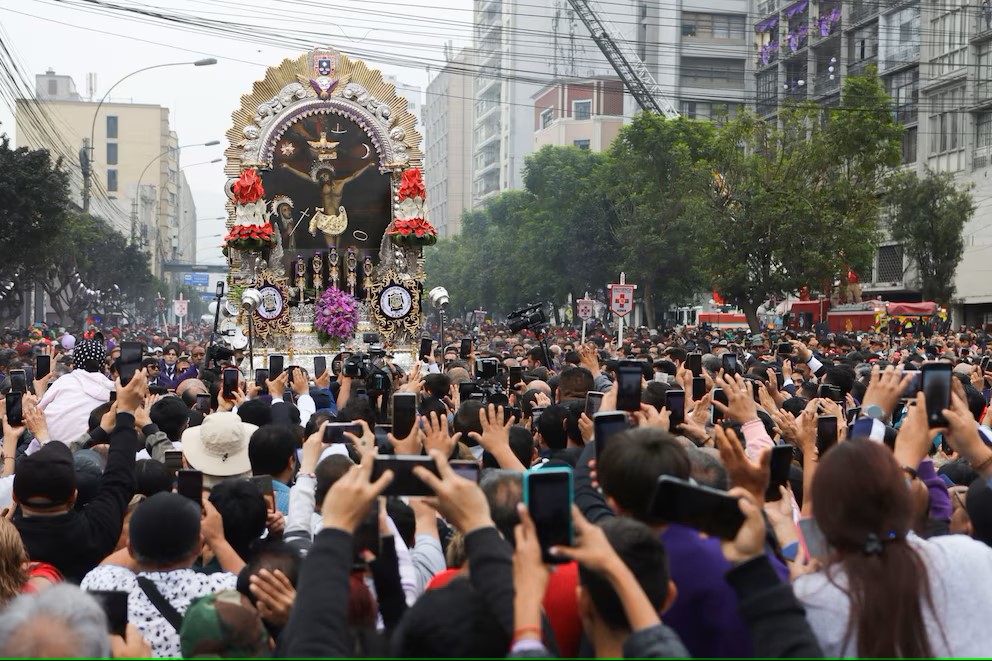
x=142, y=135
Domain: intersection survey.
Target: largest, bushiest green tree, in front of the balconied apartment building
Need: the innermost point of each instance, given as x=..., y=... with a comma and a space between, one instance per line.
x=795, y=200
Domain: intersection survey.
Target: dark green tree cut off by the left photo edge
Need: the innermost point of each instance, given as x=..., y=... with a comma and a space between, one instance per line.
x=34, y=198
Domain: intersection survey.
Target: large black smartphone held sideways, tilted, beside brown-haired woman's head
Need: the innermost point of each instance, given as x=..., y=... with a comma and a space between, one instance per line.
x=707, y=510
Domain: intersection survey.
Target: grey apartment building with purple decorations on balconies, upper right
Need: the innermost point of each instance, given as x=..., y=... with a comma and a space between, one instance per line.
x=941, y=89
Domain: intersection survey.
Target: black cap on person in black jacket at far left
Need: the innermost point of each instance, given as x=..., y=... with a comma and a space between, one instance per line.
x=47, y=477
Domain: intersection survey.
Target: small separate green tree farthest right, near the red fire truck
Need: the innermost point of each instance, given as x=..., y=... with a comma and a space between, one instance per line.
x=927, y=217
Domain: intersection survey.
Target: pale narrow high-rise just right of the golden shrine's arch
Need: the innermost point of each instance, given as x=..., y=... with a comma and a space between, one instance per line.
x=448, y=145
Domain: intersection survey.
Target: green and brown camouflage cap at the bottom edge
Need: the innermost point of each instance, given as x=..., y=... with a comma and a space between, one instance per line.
x=223, y=624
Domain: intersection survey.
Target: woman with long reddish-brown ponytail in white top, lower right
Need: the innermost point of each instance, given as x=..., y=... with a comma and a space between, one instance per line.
x=883, y=591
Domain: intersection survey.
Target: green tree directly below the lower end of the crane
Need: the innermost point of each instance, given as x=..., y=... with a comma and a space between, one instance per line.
x=654, y=178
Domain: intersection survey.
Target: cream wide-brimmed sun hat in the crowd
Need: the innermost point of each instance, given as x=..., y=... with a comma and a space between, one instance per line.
x=219, y=446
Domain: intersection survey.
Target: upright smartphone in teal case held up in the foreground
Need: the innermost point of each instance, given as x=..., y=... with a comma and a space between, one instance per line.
x=548, y=496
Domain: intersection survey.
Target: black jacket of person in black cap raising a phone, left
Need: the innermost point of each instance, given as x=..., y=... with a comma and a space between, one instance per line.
x=76, y=542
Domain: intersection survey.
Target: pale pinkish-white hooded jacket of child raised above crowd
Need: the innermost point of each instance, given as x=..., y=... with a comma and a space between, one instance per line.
x=70, y=400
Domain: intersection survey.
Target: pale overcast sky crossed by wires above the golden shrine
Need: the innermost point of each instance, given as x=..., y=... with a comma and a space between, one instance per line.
x=75, y=39
